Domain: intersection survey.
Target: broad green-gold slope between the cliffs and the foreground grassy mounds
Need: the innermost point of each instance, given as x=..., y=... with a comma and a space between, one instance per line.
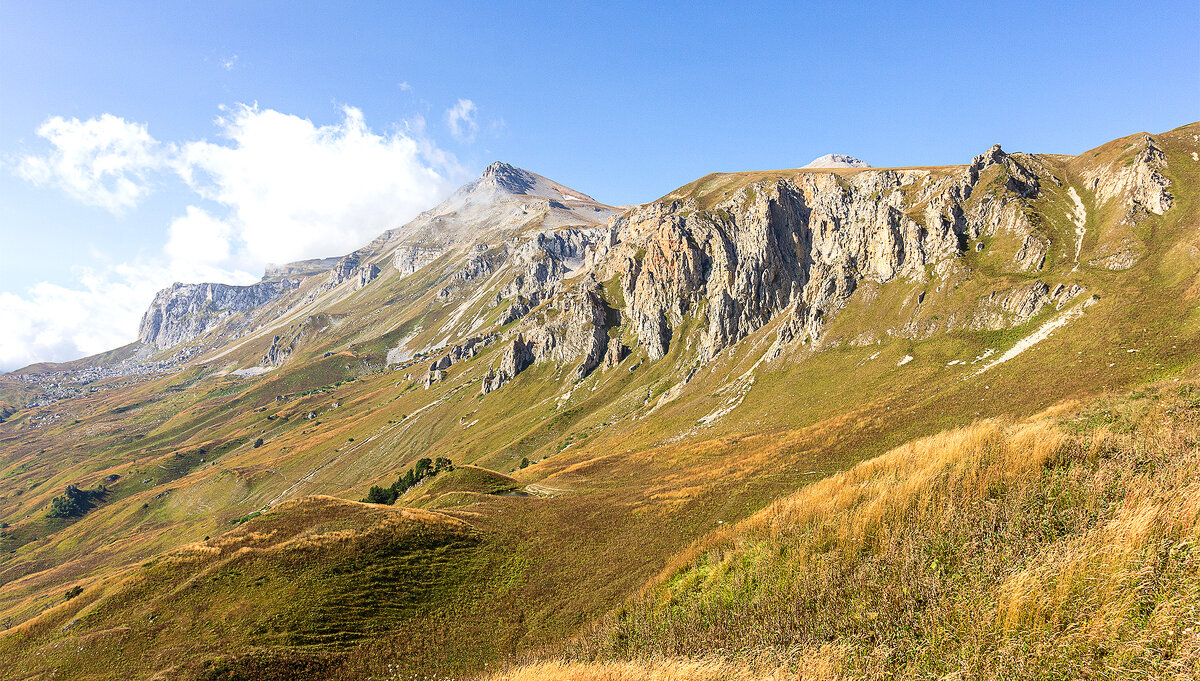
x=641, y=484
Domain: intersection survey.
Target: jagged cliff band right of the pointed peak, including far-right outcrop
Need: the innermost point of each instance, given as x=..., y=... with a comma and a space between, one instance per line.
x=799, y=248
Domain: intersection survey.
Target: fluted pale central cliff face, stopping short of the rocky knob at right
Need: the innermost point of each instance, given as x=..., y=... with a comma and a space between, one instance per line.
x=803, y=243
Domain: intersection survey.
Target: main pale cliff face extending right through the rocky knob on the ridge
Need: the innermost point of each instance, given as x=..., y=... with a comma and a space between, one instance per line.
x=802, y=246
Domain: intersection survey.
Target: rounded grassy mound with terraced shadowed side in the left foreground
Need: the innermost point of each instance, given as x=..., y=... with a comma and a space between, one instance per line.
x=298, y=590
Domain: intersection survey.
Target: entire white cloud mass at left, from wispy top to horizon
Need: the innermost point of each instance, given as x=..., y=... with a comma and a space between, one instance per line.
x=274, y=189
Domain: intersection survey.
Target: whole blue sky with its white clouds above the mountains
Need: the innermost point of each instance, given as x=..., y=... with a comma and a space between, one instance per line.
x=392, y=105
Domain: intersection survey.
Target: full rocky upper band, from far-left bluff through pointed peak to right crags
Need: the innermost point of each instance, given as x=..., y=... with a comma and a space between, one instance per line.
x=520, y=258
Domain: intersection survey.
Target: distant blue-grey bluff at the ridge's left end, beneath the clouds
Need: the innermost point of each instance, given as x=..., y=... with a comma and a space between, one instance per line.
x=184, y=312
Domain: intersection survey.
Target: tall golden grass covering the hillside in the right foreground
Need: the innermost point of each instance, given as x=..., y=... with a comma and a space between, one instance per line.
x=1053, y=549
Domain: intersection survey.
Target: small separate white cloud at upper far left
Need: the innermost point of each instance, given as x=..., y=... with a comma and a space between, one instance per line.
x=101, y=162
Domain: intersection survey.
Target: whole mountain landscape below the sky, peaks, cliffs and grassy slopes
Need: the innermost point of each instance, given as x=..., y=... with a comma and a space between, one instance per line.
x=634, y=403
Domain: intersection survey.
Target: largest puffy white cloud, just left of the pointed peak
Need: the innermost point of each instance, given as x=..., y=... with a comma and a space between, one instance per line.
x=296, y=190
